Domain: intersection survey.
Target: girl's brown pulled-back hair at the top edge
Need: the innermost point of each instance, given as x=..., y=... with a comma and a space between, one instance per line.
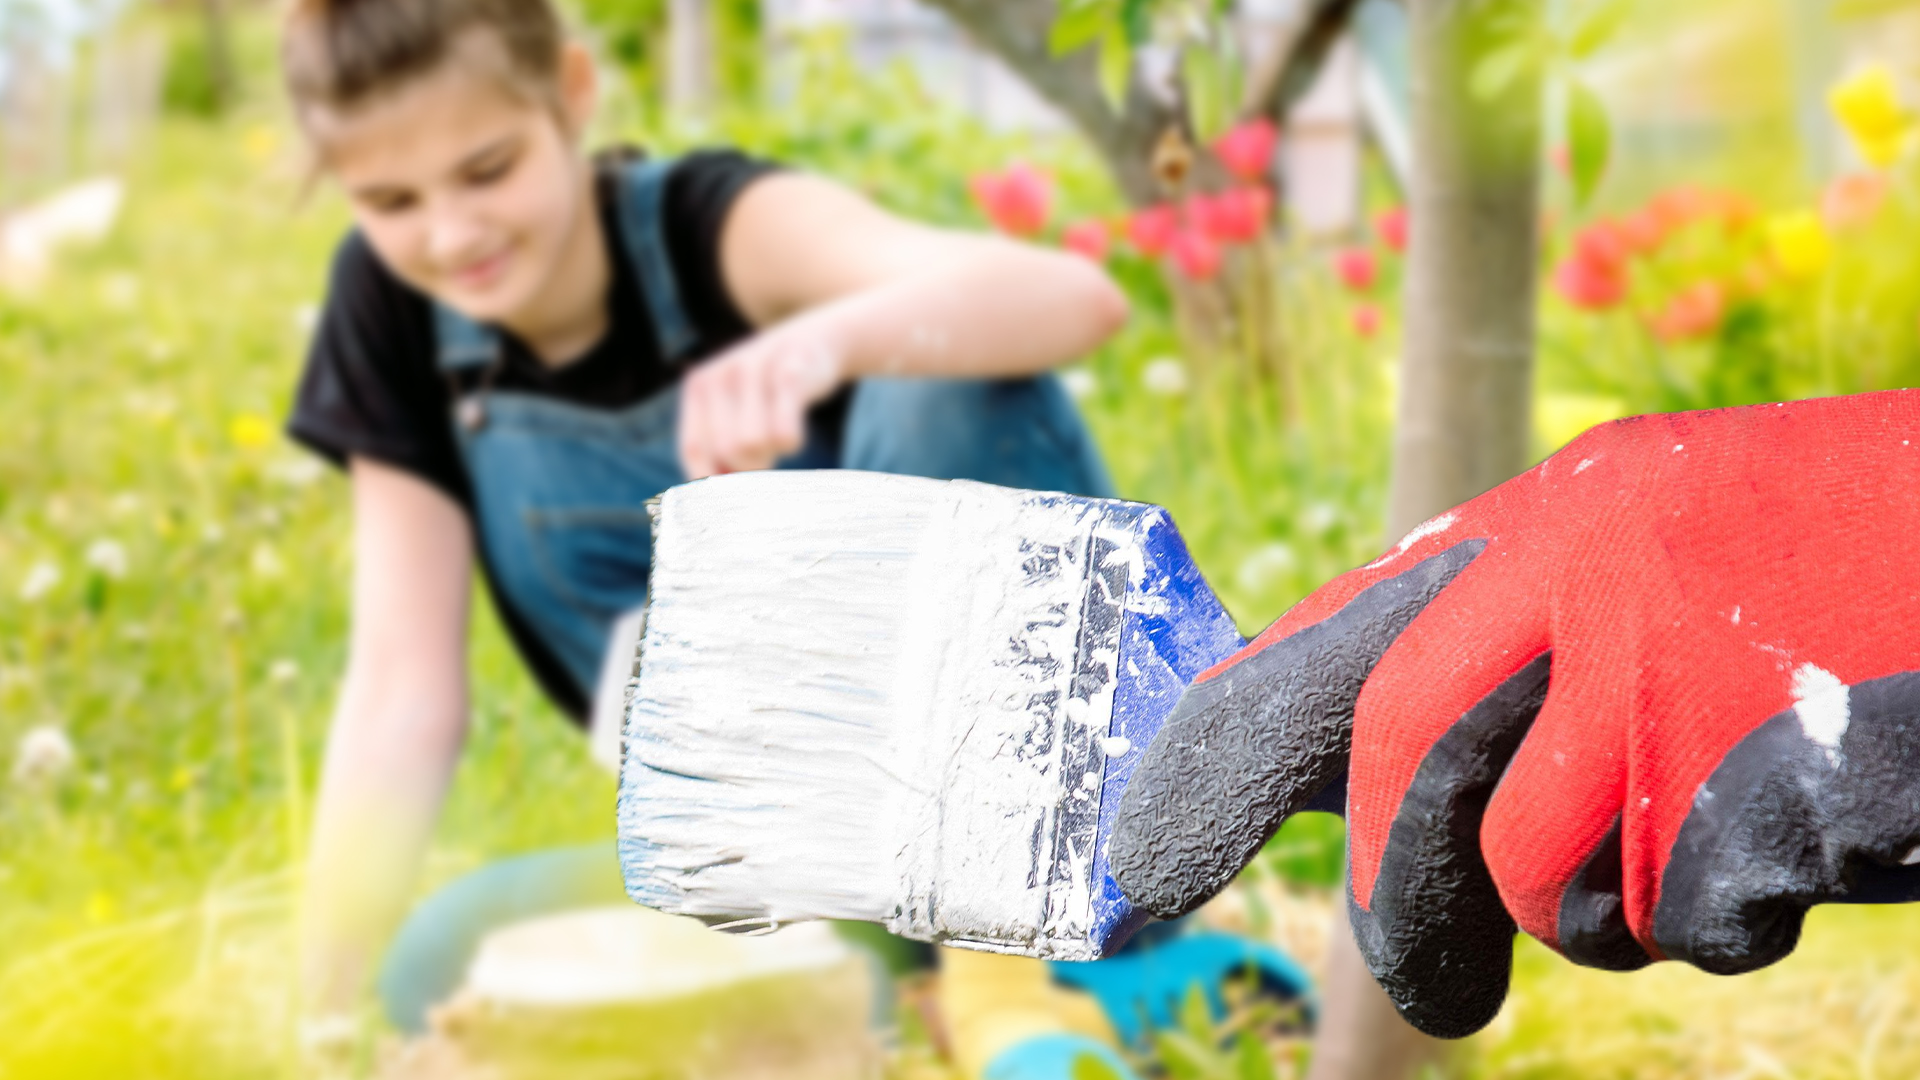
x=347, y=53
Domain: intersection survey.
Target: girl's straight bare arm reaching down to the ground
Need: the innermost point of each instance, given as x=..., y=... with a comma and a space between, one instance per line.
x=398, y=727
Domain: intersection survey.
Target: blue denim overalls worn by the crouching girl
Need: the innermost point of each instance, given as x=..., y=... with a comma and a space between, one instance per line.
x=562, y=512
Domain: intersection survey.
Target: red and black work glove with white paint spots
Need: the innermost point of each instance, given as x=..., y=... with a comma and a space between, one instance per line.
x=1648, y=700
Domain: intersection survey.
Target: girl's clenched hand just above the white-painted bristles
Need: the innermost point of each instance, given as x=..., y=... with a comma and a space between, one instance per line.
x=748, y=406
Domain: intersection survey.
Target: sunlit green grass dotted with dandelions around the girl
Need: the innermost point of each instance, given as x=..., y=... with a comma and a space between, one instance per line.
x=147, y=896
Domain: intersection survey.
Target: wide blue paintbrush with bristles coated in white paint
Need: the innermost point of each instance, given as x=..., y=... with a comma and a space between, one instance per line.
x=900, y=700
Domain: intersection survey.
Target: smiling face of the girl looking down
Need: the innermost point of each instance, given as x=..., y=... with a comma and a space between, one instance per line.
x=466, y=191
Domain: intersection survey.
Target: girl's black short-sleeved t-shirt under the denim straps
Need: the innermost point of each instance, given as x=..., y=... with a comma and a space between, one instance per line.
x=373, y=383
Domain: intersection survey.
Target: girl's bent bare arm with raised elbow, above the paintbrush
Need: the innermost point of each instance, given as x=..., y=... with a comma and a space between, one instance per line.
x=846, y=291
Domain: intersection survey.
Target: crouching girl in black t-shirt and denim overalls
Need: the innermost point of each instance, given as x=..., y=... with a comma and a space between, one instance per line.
x=523, y=345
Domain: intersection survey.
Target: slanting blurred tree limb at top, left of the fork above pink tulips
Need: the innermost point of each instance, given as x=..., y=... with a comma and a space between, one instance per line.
x=1017, y=34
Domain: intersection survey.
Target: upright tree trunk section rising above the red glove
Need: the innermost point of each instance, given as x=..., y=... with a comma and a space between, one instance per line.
x=1466, y=385
